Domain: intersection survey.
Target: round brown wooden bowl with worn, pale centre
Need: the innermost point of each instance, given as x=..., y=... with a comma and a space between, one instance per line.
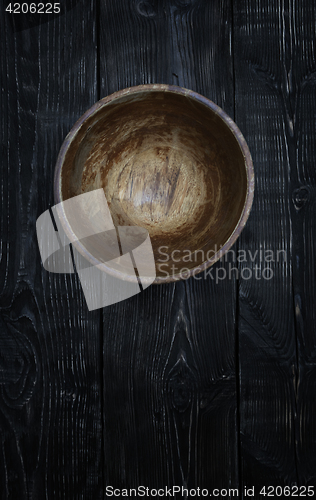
x=170, y=161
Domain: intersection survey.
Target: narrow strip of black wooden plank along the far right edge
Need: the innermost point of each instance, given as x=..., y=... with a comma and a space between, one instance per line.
x=302, y=153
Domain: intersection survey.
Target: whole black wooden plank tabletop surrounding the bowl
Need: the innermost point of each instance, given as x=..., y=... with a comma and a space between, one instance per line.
x=198, y=383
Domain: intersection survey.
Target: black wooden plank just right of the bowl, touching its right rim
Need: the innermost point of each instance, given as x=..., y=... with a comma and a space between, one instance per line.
x=268, y=78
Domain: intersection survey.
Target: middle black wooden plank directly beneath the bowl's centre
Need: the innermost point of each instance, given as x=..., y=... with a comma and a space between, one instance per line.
x=169, y=353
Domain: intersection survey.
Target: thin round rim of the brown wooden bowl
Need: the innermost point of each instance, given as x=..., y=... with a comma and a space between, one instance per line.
x=227, y=121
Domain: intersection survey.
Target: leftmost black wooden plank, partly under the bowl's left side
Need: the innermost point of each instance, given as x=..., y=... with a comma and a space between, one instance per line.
x=49, y=343
